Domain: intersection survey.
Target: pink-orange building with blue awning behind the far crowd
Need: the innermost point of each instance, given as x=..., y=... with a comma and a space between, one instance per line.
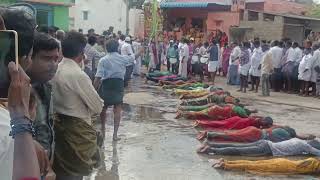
x=209, y=16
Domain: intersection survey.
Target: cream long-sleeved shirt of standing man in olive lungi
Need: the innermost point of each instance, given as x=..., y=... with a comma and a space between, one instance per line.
x=74, y=94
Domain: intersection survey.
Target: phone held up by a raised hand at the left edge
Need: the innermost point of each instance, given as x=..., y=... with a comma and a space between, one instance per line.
x=8, y=40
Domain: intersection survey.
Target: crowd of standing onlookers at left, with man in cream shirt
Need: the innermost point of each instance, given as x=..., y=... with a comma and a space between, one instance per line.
x=48, y=106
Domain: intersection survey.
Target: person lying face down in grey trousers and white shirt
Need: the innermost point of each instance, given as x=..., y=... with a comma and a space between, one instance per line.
x=291, y=147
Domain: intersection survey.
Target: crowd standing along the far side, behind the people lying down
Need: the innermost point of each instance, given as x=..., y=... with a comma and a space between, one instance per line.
x=279, y=65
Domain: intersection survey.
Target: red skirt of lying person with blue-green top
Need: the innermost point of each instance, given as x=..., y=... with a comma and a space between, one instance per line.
x=249, y=134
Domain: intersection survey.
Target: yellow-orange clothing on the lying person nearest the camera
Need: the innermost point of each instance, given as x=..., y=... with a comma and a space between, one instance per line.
x=276, y=166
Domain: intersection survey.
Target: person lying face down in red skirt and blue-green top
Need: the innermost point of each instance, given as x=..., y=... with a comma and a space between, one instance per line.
x=253, y=134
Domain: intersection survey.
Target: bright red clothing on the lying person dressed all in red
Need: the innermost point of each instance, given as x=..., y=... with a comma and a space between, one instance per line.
x=229, y=124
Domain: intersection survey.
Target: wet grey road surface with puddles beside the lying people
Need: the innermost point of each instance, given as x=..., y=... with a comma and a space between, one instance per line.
x=155, y=146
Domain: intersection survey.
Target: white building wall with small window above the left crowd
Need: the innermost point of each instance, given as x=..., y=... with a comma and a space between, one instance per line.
x=102, y=14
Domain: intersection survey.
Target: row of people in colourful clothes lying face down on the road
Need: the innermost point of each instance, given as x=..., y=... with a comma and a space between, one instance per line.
x=230, y=130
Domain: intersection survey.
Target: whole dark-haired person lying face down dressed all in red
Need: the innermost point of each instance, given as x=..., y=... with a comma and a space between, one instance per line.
x=235, y=123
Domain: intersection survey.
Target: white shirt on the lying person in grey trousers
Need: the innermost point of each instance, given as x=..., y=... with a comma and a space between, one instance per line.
x=292, y=147
